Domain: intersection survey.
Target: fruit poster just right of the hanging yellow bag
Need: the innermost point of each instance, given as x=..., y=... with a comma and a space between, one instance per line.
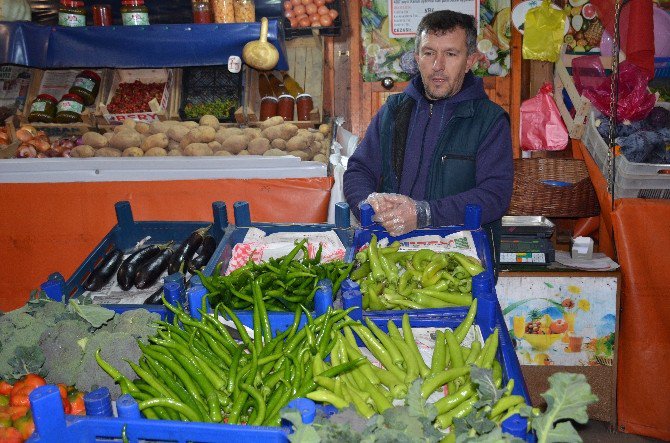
x=585, y=28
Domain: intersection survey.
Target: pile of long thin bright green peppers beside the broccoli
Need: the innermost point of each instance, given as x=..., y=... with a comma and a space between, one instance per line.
x=195, y=371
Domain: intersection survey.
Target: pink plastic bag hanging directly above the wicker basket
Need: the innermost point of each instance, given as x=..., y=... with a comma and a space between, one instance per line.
x=542, y=127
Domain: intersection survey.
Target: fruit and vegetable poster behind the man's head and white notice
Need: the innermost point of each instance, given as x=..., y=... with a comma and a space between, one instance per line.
x=394, y=57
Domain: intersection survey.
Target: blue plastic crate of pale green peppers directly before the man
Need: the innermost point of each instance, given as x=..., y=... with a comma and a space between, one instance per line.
x=472, y=223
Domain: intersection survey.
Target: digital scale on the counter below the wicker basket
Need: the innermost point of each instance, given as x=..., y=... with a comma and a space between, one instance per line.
x=526, y=240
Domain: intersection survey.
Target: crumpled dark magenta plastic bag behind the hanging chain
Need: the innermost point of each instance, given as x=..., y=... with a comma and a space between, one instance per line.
x=635, y=101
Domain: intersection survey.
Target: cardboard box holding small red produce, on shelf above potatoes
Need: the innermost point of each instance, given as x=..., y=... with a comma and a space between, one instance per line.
x=159, y=110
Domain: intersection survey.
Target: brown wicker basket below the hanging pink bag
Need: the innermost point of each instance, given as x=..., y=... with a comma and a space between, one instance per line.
x=553, y=187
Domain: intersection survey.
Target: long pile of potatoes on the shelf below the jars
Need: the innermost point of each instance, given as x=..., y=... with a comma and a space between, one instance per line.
x=273, y=137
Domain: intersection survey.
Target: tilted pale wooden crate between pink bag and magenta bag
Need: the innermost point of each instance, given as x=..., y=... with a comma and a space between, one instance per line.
x=582, y=106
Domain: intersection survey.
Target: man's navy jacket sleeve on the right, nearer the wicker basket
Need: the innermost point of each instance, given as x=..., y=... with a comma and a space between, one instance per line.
x=494, y=180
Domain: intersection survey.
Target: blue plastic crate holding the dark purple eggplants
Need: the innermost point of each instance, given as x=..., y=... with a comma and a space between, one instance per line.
x=125, y=236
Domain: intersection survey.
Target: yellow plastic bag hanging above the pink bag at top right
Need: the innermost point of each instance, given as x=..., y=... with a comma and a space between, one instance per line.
x=543, y=32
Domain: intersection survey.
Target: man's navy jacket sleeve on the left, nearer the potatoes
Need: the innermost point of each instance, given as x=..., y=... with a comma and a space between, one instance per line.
x=363, y=173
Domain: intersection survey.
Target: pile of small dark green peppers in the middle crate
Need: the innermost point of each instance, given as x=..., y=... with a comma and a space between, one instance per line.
x=286, y=283
